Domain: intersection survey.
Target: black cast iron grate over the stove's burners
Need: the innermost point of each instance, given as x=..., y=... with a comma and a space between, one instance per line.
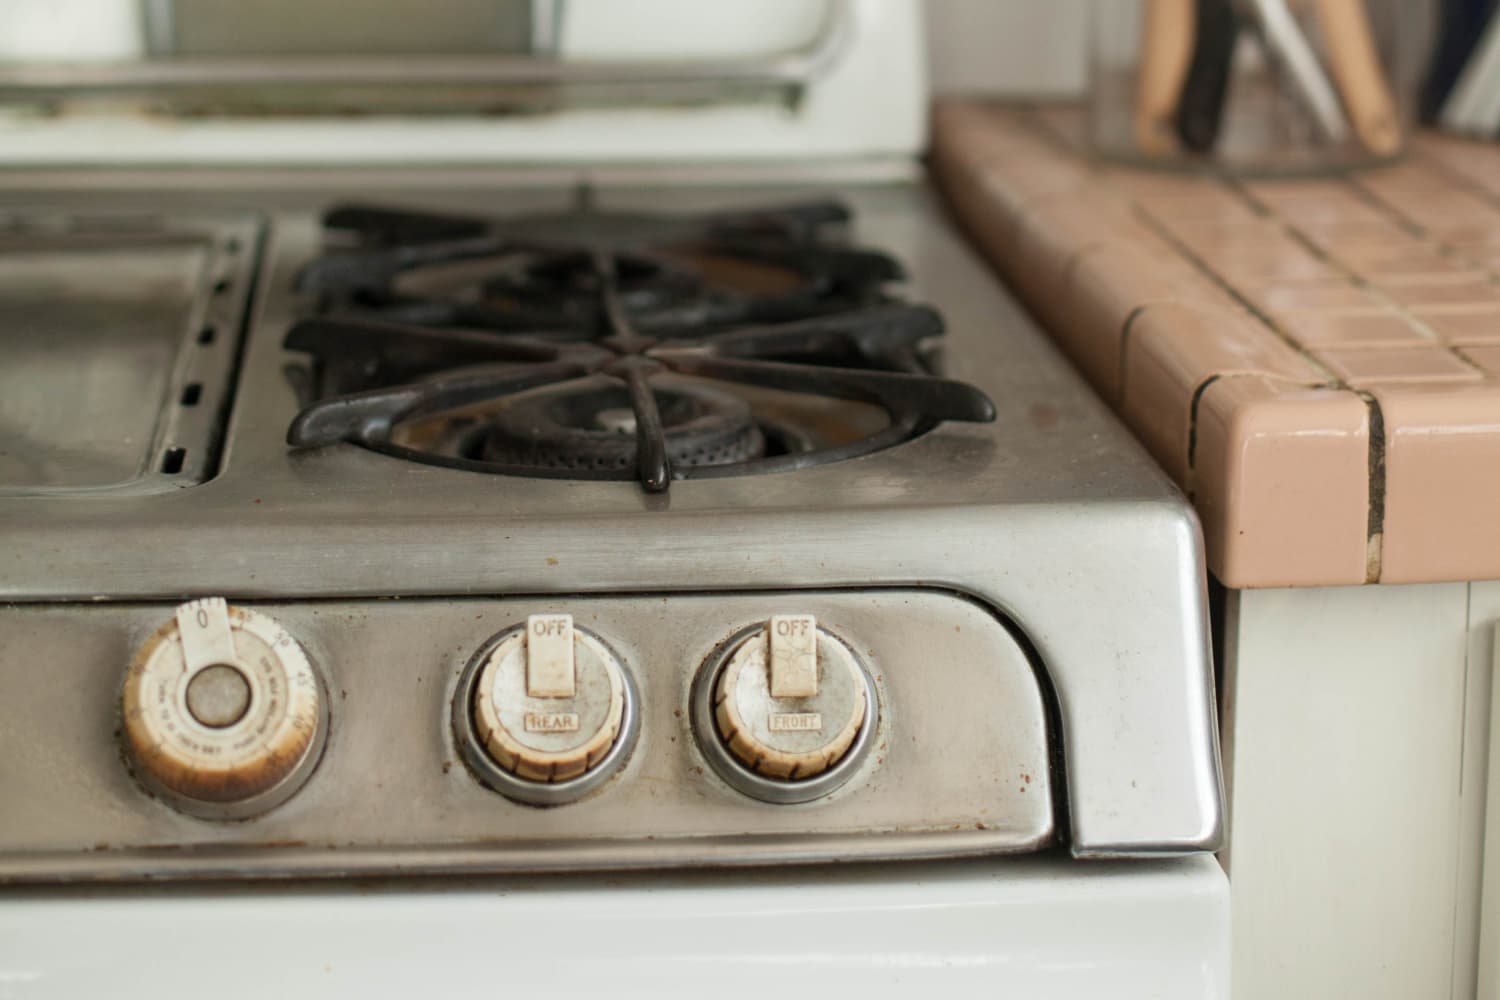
x=610, y=346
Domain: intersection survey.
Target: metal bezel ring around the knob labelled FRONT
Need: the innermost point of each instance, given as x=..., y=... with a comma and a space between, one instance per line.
x=736, y=773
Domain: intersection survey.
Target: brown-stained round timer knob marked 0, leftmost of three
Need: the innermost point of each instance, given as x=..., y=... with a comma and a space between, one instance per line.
x=224, y=716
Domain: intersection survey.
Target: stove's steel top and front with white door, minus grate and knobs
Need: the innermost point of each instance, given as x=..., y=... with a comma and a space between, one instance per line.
x=1025, y=597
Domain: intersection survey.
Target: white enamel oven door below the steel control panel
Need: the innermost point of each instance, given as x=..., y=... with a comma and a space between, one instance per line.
x=1031, y=927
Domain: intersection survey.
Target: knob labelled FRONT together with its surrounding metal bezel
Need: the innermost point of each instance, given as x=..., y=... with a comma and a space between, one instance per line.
x=790, y=702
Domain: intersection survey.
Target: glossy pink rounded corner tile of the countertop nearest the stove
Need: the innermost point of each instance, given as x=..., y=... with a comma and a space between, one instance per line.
x=1282, y=484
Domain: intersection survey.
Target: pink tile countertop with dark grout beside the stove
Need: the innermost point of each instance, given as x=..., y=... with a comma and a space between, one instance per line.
x=1315, y=362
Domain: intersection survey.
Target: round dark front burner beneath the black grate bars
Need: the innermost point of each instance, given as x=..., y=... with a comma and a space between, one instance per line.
x=593, y=428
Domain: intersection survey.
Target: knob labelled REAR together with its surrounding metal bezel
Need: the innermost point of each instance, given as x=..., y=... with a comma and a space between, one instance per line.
x=545, y=711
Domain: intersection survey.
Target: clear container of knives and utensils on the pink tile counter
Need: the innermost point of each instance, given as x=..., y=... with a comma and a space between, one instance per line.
x=1253, y=88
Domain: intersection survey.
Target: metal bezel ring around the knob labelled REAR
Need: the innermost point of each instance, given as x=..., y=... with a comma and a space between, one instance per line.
x=529, y=791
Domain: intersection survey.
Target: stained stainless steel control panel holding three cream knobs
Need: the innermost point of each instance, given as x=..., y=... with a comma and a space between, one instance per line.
x=935, y=731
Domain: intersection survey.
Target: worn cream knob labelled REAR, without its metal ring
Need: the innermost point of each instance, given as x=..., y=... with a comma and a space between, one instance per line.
x=550, y=701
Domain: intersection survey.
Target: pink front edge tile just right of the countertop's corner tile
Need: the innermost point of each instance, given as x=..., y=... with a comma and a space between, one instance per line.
x=1442, y=460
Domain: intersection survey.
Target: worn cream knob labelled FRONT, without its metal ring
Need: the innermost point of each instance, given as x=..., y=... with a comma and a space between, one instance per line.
x=791, y=699
